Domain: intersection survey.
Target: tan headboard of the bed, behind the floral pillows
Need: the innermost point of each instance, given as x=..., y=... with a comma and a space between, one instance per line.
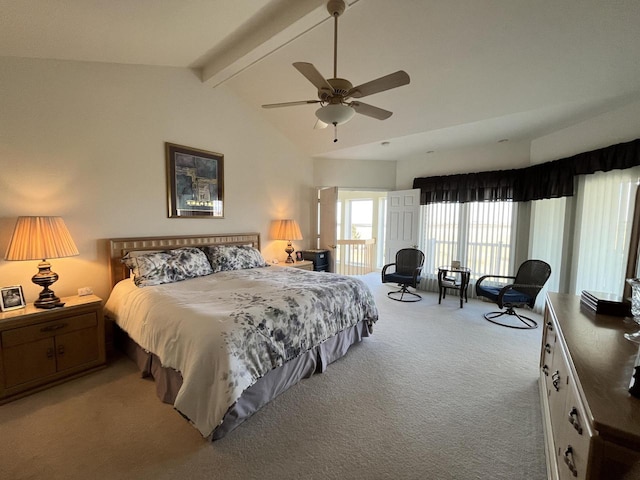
x=119, y=247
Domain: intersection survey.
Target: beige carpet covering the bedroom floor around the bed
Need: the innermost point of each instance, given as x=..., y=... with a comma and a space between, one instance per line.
x=436, y=393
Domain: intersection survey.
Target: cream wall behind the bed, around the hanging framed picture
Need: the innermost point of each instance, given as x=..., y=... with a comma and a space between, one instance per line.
x=86, y=141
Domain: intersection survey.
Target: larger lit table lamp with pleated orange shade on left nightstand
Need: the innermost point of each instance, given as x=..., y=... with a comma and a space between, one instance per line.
x=39, y=238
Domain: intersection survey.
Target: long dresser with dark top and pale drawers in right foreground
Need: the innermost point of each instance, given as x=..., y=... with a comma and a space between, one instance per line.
x=591, y=423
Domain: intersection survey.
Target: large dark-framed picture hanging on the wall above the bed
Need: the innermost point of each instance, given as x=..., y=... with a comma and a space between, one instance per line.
x=195, y=182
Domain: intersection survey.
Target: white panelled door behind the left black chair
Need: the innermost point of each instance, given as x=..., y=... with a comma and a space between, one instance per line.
x=403, y=222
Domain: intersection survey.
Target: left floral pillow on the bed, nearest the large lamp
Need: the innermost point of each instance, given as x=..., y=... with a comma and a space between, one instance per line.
x=156, y=268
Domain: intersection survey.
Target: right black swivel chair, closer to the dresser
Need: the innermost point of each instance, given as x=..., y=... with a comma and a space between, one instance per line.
x=531, y=277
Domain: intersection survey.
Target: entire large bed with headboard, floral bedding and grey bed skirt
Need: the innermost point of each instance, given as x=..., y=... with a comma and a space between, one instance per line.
x=225, y=335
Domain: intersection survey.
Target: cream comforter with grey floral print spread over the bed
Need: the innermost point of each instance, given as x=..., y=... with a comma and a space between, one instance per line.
x=225, y=331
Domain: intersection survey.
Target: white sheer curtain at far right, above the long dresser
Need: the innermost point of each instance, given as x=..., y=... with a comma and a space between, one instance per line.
x=603, y=226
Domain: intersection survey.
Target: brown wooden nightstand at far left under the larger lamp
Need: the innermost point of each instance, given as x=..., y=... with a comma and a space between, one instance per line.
x=40, y=348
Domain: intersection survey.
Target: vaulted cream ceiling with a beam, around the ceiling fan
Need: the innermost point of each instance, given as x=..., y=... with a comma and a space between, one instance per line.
x=481, y=70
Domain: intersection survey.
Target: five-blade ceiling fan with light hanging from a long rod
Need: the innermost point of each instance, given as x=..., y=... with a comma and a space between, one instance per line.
x=334, y=93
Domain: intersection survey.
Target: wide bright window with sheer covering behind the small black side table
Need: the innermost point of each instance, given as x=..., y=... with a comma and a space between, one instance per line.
x=479, y=234
